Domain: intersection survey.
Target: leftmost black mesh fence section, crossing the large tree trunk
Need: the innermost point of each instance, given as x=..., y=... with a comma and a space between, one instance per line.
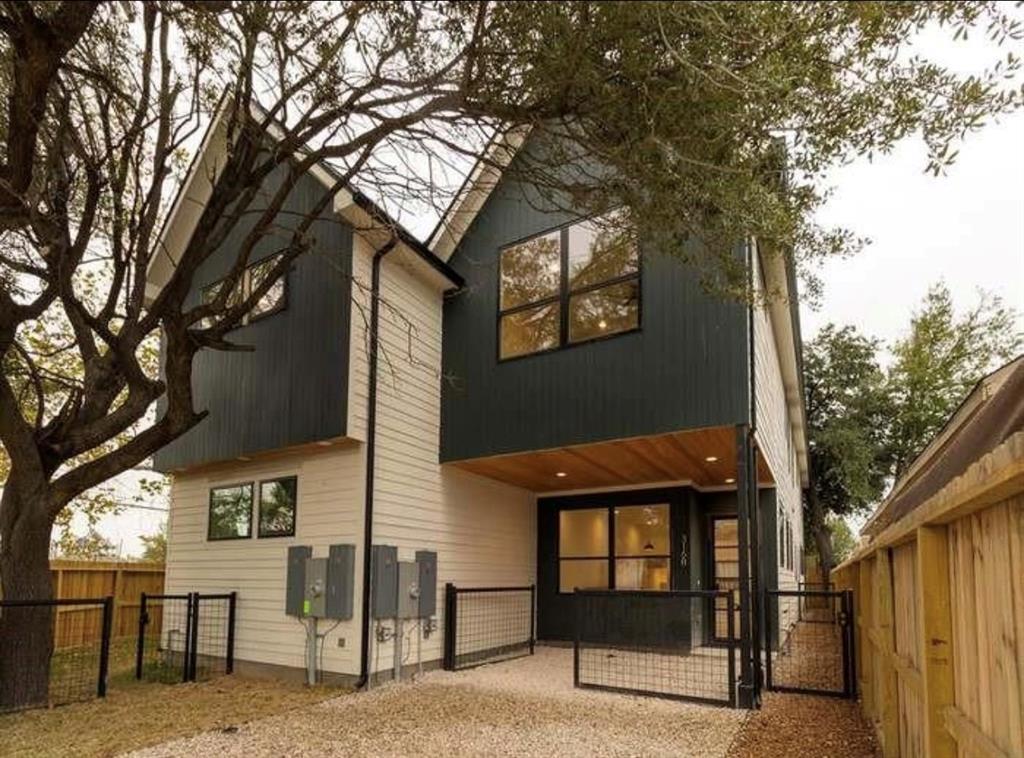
x=78, y=669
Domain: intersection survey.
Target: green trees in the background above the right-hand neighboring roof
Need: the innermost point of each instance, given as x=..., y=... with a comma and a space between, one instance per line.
x=866, y=425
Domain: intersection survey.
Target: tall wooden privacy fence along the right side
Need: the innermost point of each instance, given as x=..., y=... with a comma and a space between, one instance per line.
x=941, y=617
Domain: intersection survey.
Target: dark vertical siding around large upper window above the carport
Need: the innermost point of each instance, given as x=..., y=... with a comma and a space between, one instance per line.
x=687, y=367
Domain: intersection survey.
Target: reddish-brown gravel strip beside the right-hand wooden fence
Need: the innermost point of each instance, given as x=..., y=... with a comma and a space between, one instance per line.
x=801, y=725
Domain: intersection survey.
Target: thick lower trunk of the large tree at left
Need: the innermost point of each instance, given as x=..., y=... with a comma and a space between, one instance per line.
x=26, y=634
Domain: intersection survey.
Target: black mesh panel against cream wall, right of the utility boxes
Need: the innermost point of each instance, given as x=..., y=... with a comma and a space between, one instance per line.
x=488, y=624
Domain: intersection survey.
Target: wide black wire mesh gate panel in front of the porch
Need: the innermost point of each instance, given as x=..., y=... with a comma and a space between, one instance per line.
x=656, y=644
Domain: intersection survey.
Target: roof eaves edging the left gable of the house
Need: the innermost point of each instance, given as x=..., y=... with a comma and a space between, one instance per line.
x=180, y=225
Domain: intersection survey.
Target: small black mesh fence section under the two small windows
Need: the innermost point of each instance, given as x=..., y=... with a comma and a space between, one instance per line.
x=187, y=638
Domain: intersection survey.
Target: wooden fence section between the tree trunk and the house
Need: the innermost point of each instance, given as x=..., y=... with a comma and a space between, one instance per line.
x=125, y=582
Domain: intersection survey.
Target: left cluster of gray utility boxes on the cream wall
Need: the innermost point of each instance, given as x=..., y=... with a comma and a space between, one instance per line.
x=321, y=587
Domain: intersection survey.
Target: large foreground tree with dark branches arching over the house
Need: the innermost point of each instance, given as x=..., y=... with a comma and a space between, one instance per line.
x=677, y=112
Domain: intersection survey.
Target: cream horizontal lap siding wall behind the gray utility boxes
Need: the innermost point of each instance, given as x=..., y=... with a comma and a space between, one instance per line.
x=484, y=532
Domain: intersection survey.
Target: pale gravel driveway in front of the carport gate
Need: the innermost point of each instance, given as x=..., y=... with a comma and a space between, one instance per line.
x=524, y=707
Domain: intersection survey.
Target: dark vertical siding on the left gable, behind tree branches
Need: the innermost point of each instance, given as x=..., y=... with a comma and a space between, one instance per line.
x=293, y=387
